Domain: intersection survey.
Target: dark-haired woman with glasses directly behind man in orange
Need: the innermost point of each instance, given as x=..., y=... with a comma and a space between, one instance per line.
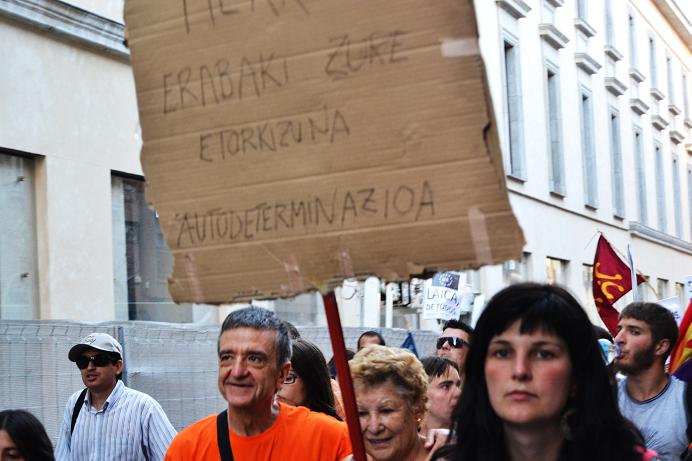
x=308, y=384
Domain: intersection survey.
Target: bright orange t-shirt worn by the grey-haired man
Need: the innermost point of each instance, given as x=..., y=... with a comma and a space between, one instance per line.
x=298, y=434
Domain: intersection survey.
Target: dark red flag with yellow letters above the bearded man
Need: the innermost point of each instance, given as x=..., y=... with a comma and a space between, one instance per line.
x=611, y=280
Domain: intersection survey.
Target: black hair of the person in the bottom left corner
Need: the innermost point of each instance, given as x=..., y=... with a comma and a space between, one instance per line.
x=28, y=434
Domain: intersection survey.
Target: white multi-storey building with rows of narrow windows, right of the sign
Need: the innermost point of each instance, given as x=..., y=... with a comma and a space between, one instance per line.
x=592, y=98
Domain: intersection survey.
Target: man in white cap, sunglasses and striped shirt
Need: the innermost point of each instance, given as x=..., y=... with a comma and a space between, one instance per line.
x=108, y=420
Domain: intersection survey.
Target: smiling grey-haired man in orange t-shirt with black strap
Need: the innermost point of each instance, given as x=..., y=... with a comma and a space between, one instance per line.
x=254, y=359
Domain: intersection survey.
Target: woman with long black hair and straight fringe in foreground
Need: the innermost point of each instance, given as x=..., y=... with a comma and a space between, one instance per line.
x=537, y=387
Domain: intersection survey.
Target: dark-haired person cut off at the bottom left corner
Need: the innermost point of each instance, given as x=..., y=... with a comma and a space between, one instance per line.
x=23, y=438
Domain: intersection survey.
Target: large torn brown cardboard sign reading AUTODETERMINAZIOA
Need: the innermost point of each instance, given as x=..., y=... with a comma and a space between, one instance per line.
x=289, y=143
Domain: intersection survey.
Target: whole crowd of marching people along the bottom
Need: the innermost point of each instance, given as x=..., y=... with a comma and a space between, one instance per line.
x=530, y=382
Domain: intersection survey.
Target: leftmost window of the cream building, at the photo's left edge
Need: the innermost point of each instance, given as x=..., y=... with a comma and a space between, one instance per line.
x=18, y=260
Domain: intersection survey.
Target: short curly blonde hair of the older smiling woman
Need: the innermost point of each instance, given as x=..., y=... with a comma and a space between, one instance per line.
x=375, y=365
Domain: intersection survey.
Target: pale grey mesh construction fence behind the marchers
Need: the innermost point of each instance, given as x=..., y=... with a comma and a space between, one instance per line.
x=174, y=363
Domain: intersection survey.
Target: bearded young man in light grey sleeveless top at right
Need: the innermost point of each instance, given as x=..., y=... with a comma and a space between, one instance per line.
x=653, y=400
